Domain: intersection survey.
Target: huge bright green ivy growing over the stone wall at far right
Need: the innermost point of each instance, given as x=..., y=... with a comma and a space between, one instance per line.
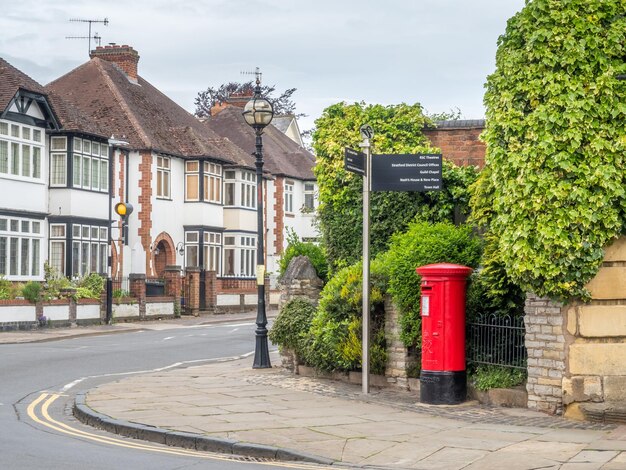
x=552, y=193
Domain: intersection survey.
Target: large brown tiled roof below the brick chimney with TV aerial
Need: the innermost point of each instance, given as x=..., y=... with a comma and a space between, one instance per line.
x=139, y=113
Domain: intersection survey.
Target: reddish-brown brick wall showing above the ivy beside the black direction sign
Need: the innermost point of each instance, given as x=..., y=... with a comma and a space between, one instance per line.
x=459, y=141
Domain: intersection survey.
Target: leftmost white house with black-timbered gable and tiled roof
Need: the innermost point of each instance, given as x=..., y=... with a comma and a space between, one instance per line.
x=41, y=200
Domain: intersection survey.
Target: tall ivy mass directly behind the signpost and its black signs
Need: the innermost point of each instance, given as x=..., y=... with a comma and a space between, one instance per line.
x=397, y=129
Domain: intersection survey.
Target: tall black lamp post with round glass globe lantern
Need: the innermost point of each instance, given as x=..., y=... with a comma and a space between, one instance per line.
x=258, y=113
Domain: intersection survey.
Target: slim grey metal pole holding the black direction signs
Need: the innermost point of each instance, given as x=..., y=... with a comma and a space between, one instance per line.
x=367, y=133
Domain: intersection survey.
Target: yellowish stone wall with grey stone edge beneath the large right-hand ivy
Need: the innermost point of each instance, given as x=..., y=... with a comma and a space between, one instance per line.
x=577, y=352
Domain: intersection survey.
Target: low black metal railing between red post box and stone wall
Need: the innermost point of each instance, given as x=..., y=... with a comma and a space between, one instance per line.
x=497, y=340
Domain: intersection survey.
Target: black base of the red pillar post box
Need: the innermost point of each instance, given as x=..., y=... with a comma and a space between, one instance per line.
x=443, y=387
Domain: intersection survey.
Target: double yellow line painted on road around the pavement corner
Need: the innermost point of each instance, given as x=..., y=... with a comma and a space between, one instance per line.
x=44, y=419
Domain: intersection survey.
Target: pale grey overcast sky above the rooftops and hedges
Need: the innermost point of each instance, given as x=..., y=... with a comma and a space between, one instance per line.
x=435, y=52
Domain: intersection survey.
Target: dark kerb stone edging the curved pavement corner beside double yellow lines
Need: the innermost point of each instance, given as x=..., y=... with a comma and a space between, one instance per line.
x=184, y=440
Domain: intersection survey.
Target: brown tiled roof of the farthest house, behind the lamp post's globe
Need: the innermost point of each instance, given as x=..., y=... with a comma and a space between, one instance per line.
x=282, y=156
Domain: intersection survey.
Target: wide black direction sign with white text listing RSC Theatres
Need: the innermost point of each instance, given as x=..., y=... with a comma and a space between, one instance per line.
x=414, y=173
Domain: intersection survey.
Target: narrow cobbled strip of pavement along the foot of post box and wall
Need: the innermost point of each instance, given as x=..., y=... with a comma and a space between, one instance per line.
x=407, y=401
